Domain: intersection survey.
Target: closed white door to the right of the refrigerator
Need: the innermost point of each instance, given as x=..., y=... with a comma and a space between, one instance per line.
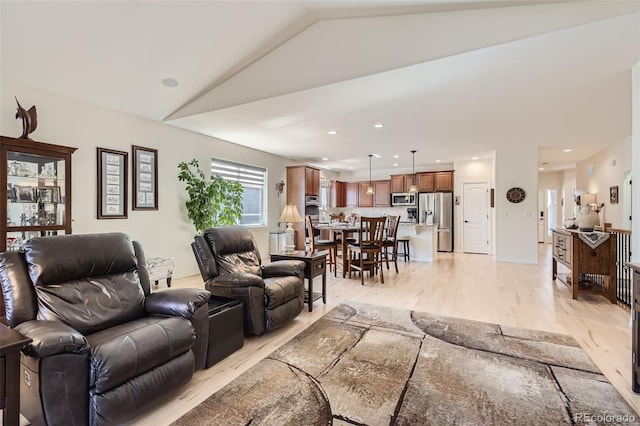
x=475, y=212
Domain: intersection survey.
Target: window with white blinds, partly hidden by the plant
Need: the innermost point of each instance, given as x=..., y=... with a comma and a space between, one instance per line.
x=253, y=180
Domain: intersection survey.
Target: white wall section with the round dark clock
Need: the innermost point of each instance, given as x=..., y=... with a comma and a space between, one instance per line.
x=515, y=225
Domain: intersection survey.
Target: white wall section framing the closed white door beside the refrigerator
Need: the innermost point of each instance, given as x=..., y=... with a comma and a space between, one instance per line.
x=473, y=171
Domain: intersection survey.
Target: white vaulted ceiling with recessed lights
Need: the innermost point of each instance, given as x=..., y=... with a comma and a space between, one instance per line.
x=452, y=79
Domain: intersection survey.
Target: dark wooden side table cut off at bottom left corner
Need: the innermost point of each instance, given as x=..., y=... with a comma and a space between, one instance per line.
x=10, y=344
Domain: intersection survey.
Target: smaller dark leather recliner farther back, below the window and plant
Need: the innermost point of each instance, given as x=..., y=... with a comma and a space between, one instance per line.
x=230, y=264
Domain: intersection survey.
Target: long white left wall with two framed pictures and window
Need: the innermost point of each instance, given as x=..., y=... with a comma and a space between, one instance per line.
x=166, y=232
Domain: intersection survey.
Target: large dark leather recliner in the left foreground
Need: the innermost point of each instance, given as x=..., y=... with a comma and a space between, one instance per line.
x=104, y=348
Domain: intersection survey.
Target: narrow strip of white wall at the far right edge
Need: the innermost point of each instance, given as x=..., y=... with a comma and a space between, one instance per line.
x=635, y=147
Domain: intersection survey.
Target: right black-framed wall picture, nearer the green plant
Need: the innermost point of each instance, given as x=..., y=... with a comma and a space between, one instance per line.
x=145, y=178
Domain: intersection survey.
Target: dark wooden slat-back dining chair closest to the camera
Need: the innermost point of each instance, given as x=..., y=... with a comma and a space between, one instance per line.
x=369, y=248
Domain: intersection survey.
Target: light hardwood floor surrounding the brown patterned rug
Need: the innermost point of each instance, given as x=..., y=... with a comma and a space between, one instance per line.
x=461, y=285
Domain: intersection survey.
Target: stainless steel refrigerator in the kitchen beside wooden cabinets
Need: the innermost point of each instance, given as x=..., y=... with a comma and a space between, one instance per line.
x=436, y=208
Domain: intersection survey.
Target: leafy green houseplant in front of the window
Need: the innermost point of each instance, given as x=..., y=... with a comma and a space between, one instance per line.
x=212, y=202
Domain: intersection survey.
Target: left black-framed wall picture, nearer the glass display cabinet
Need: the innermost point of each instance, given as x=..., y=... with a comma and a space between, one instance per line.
x=112, y=184
